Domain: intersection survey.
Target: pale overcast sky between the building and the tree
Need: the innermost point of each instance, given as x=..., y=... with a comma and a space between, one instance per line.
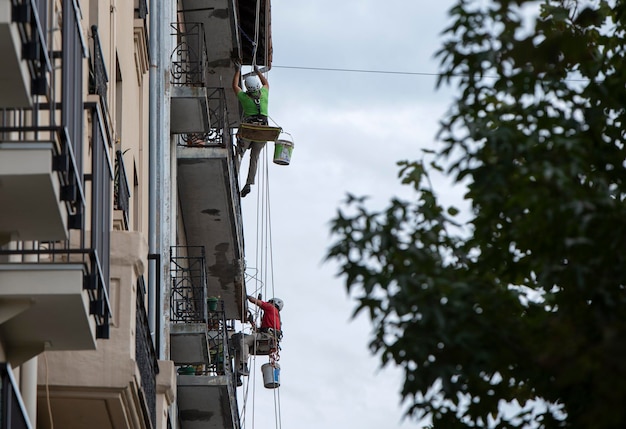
x=349, y=130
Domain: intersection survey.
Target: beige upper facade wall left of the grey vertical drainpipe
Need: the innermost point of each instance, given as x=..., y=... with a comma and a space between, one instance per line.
x=125, y=50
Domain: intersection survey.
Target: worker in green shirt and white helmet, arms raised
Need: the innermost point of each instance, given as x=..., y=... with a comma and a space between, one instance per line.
x=254, y=103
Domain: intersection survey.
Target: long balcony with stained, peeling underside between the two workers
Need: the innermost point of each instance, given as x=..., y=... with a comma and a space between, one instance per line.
x=208, y=192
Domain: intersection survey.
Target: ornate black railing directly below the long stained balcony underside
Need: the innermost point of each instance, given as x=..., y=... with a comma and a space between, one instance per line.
x=189, y=281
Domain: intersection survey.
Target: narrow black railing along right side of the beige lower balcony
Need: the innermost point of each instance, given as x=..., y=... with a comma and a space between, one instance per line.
x=145, y=354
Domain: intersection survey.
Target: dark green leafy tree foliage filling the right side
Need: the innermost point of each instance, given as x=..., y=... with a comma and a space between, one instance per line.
x=521, y=301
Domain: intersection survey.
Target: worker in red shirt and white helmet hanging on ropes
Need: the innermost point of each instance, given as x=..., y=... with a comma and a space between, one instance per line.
x=270, y=326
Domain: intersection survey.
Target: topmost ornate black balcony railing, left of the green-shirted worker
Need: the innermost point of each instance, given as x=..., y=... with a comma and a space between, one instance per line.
x=189, y=58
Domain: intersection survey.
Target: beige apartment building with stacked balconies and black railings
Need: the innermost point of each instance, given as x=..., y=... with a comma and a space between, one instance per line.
x=121, y=240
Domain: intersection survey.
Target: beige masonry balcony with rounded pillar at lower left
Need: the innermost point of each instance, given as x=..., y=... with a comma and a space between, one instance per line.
x=117, y=385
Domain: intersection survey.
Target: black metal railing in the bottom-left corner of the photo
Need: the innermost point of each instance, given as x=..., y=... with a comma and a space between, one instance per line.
x=12, y=411
